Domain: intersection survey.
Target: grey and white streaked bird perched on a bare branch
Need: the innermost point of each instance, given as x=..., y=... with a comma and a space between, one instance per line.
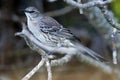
x=51, y=33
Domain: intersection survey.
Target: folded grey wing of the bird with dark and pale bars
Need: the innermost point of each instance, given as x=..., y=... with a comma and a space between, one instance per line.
x=52, y=27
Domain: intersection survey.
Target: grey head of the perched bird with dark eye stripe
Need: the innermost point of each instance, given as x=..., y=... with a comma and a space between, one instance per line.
x=31, y=12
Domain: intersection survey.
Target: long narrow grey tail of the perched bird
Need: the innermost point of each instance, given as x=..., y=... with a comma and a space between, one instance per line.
x=89, y=52
